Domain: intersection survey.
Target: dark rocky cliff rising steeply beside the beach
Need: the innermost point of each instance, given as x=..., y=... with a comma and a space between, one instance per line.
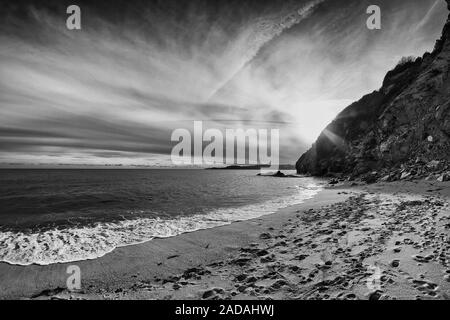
x=406, y=121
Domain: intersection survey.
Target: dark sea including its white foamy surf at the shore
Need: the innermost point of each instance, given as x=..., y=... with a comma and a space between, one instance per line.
x=62, y=215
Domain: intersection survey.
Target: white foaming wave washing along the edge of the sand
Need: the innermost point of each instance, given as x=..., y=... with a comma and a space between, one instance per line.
x=91, y=242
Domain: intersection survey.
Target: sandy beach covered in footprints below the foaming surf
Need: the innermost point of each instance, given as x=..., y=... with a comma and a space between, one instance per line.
x=379, y=241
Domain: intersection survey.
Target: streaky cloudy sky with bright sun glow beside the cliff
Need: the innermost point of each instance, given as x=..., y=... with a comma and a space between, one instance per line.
x=113, y=92
